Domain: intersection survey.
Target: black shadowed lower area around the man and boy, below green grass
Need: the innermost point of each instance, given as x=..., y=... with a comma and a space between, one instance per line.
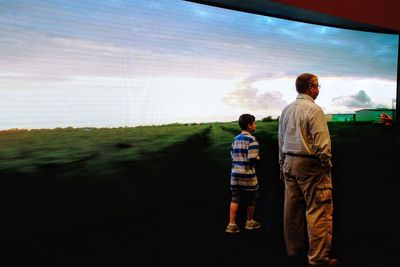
x=180, y=217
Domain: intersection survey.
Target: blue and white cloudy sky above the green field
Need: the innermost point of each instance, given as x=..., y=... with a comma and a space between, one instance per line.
x=117, y=63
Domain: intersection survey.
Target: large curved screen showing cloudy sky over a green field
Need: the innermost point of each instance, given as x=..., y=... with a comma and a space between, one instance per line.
x=116, y=123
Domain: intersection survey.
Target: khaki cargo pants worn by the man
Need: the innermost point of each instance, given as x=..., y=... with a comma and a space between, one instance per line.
x=308, y=198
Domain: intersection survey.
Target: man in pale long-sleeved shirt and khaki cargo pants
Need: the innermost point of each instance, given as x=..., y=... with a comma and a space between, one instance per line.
x=304, y=157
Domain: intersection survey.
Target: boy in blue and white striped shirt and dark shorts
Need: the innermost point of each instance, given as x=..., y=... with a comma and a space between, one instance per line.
x=244, y=184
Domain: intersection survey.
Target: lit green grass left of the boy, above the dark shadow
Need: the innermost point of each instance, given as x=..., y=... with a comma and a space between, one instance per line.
x=89, y=149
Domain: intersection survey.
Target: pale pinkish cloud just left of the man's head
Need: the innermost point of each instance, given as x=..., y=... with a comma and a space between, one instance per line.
x=247, y=96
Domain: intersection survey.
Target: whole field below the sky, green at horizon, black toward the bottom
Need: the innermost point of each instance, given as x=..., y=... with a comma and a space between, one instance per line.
x=93, y=197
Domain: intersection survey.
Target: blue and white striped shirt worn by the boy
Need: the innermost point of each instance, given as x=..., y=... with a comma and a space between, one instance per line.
x=243, y=175
